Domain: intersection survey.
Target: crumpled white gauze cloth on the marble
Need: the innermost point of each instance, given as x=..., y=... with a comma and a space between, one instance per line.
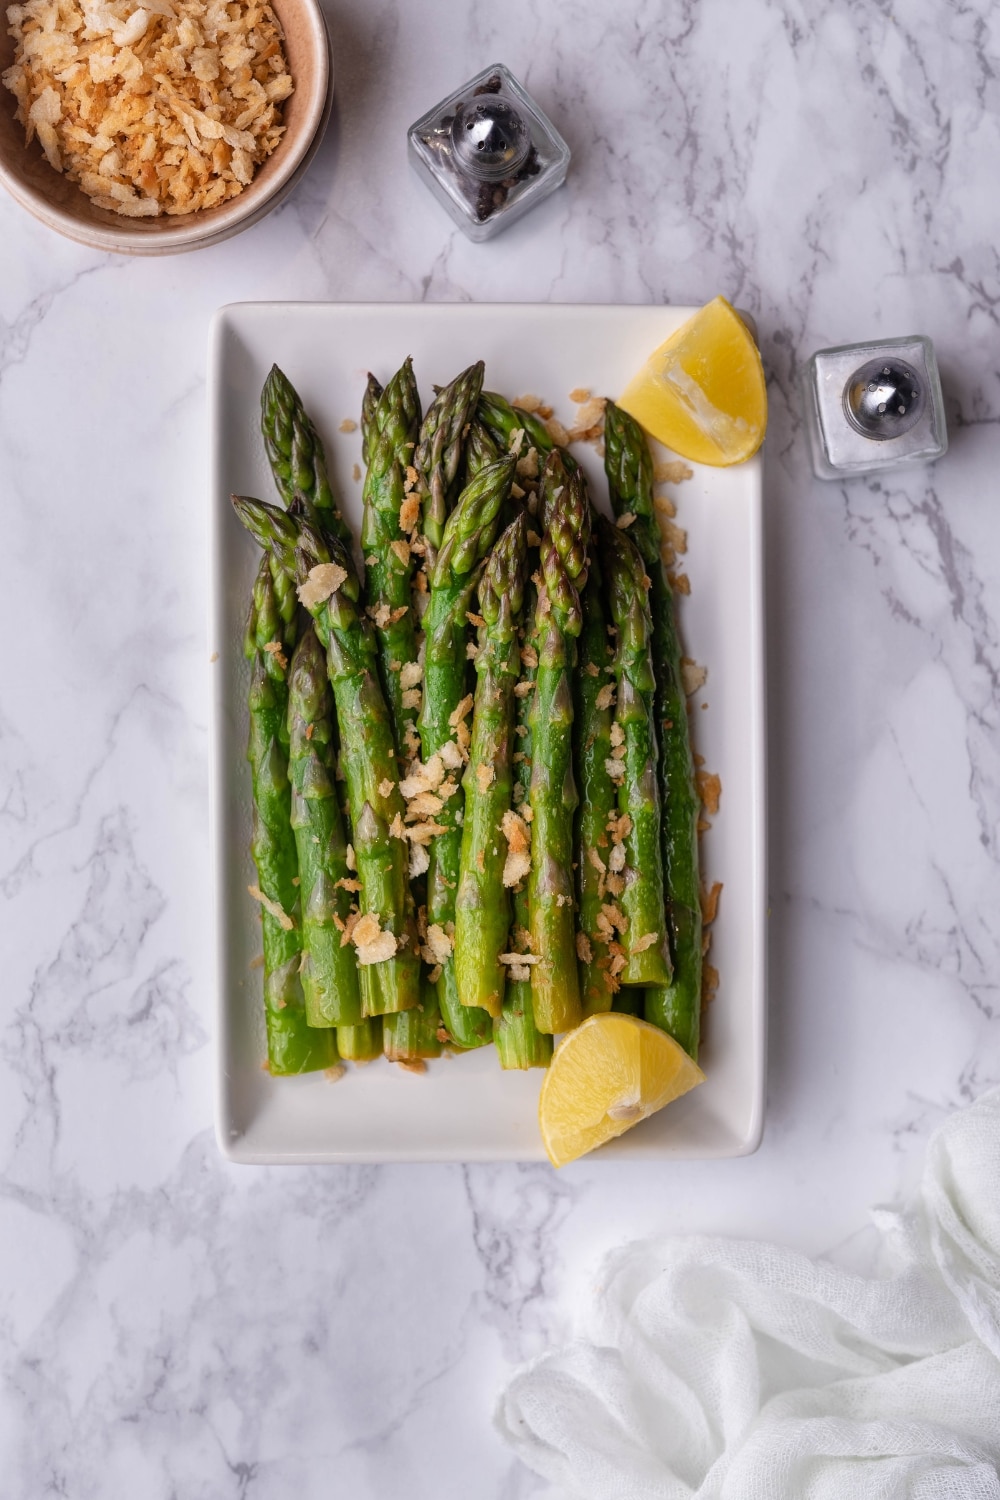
x=732, y=1370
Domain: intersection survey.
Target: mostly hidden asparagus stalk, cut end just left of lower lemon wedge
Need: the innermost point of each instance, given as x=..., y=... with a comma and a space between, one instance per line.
x=519, y=1043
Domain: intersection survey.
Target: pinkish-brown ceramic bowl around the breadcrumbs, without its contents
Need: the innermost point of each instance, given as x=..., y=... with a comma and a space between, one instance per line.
x=62, y=206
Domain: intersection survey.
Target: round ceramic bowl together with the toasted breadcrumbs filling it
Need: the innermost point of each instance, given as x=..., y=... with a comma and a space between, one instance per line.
x=160, y=127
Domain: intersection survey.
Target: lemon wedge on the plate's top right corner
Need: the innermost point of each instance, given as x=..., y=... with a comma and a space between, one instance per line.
x=702, y=394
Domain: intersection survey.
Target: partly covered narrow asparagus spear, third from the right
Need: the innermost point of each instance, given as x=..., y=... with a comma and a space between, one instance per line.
x=594, y=692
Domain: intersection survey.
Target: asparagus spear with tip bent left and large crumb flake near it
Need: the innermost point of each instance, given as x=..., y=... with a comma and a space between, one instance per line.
x=368, y=751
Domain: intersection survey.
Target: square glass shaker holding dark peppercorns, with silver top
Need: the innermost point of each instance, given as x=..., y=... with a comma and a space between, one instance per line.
x=488, y=154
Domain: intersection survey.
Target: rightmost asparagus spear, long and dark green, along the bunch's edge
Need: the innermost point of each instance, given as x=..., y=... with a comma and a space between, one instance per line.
x=678, y=1009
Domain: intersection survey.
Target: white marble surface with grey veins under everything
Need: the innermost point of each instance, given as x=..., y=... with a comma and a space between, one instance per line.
x=176, y=1327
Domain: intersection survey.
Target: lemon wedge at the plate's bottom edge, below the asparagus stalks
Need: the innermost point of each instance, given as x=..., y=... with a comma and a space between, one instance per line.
x=605, y=1078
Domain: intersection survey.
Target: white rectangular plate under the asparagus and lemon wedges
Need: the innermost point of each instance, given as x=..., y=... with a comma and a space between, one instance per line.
x=466, y=1108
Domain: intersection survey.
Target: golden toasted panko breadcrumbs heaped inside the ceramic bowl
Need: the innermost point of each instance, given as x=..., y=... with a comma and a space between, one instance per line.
x=157, y=109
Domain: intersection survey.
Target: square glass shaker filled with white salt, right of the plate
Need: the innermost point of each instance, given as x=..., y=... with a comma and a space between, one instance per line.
x=873, y=407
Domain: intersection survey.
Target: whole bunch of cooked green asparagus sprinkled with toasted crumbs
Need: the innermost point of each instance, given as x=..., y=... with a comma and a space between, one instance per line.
x=501, y=704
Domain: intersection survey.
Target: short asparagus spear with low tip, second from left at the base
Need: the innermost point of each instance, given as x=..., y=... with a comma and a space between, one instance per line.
x=329, y=970
